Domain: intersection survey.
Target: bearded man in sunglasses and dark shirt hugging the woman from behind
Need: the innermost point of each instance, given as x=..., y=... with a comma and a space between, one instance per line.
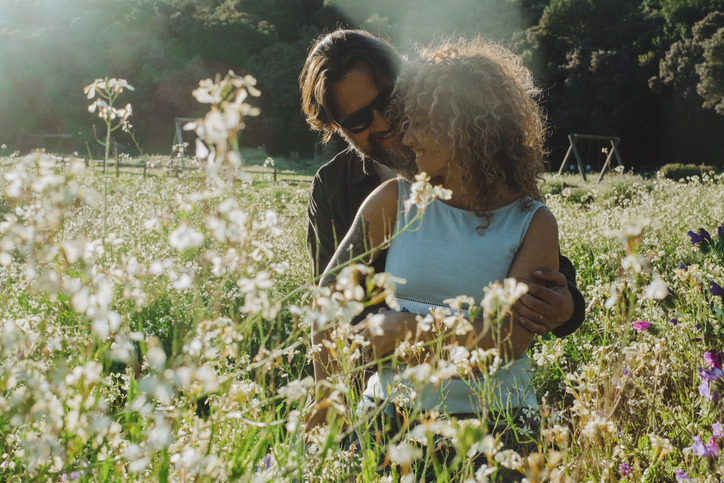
x=346, y=84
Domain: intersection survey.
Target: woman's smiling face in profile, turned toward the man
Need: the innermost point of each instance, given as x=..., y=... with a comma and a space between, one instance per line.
x=431, y=156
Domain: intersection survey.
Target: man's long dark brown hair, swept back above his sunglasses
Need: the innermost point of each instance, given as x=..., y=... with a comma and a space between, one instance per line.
x=332, y=57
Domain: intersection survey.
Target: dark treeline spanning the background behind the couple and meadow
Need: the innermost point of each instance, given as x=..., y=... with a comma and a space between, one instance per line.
x=648, y=71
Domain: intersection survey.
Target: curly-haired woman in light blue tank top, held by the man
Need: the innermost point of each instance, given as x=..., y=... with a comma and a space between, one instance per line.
x=468, y=111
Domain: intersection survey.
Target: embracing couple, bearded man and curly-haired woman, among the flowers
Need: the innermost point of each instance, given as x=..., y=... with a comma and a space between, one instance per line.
x=463, y=112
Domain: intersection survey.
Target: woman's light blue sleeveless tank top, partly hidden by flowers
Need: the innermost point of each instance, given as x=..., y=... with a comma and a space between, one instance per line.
x=443, y=256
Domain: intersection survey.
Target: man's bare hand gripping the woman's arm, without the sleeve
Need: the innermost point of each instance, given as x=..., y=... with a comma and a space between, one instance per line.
x=547, y=304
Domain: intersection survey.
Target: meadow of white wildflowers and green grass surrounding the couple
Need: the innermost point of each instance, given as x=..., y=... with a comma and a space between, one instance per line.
x=157, y=329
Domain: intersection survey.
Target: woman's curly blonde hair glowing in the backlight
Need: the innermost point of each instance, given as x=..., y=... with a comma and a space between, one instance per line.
x=479, y=97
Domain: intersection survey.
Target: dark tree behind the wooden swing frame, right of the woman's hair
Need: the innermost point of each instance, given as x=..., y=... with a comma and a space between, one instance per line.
x=586, y=56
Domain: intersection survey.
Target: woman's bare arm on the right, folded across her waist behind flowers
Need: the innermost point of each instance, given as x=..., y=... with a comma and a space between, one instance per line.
x=539, y=250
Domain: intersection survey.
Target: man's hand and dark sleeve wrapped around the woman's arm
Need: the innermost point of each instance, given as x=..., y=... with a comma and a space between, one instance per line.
x=554, y=303
